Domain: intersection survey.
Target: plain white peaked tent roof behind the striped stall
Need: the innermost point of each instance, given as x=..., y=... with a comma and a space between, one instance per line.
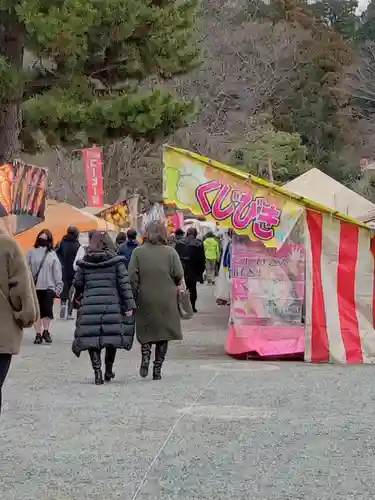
x=321, y=188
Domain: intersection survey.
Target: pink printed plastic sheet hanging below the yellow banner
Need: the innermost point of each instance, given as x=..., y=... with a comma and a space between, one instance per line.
x=267, y=297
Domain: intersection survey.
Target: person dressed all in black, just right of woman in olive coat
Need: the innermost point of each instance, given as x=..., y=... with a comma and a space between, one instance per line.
x=191, y=253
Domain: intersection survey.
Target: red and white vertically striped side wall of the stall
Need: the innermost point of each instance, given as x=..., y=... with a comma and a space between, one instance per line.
x=339, y=291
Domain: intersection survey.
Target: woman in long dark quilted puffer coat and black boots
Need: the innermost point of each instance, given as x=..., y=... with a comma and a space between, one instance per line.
x=104, y=299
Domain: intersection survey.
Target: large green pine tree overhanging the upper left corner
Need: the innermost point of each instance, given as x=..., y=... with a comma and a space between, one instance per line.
x=94, y=69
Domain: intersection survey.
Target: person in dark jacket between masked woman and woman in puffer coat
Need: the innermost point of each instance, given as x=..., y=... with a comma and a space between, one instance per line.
x=66, y=252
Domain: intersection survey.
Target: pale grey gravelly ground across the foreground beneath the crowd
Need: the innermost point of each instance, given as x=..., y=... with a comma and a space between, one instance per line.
x=212, y=429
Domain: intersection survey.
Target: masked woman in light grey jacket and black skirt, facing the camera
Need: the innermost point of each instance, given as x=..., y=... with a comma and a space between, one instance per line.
x=47, y=274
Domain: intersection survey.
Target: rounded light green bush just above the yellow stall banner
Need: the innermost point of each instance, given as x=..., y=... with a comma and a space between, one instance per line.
x=281, y=150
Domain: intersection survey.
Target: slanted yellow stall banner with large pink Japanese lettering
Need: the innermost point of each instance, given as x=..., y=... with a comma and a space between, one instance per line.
x=225, y=195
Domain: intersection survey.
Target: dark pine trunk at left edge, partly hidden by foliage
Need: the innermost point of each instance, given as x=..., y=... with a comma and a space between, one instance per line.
x=11, y=48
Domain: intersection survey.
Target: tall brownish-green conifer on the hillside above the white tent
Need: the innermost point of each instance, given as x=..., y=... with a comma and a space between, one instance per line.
x=313, y=107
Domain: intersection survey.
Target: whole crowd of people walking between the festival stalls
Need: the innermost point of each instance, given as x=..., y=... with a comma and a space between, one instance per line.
x=119, y=290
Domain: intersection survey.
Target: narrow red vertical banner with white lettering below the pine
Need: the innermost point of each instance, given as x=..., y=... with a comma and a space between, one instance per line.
x=93, y=163
